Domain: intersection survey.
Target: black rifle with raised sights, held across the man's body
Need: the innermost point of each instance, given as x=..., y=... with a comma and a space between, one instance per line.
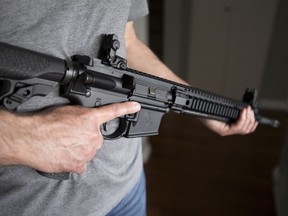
x=92, y=82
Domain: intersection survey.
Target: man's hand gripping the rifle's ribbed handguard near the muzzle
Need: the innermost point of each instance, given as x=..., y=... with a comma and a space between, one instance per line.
x=245, y=124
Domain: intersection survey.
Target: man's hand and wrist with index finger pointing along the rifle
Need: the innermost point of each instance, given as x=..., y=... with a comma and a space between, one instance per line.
x=59, y=139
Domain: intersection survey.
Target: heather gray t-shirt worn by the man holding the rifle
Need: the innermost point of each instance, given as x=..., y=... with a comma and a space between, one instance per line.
x=64, y=28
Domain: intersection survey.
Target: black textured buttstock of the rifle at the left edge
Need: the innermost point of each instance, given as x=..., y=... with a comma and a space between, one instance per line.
x=19, y=63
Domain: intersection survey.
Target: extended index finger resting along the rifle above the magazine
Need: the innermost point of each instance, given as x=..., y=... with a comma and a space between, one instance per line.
x=112, y=111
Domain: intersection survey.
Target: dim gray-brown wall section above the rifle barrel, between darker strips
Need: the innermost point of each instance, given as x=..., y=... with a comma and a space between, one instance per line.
x=222, y=45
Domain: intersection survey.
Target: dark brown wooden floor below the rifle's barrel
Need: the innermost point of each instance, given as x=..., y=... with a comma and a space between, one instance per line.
x=194, y=172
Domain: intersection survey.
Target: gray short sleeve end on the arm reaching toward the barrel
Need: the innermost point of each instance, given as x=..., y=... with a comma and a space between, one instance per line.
x=138, y=9
